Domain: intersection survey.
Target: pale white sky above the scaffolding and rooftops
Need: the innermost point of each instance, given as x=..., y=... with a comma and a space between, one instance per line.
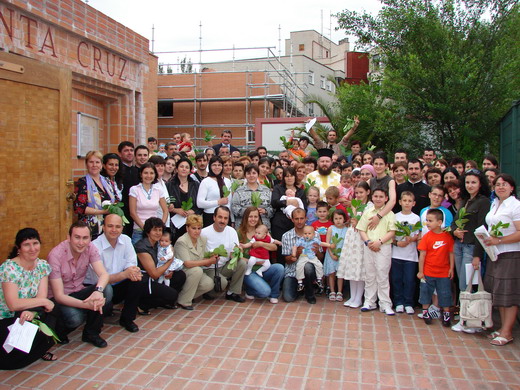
x=227, y=24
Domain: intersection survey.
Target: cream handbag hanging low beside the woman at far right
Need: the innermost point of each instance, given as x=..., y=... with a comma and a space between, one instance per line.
x=476, y=308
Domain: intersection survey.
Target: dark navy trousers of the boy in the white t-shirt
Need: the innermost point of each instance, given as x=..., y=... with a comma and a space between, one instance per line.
x=403, y=276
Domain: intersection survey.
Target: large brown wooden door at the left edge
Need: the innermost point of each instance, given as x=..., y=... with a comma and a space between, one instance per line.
x=35, y=149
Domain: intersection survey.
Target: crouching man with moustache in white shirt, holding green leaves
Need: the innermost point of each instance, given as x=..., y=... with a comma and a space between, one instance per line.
x=221, y=234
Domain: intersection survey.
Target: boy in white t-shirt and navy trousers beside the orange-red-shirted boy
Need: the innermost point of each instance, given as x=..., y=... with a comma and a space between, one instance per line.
x=405, y=258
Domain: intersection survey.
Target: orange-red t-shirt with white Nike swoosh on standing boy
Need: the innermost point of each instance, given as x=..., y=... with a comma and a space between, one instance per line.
x=438, y=246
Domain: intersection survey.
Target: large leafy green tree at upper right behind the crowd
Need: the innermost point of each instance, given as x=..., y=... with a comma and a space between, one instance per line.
x=450, y=66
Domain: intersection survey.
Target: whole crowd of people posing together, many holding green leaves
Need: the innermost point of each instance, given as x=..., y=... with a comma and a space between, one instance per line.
x=157, y=231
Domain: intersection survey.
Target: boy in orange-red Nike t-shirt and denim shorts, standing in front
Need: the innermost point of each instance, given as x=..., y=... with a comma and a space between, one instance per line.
x=436, y=264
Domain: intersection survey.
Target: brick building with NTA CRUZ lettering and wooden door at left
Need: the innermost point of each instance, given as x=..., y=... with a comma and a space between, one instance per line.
x=71, y=80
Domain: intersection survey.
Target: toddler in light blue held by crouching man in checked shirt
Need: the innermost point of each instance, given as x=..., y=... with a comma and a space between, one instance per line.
x=308, y=256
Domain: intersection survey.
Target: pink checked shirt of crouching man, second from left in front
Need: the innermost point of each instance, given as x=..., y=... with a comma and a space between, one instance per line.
x=71, y=273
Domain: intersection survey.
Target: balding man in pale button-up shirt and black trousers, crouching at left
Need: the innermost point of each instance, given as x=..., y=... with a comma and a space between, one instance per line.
x=119, y=258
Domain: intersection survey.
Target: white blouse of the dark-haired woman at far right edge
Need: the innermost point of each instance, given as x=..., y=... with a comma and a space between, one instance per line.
x=506, y=212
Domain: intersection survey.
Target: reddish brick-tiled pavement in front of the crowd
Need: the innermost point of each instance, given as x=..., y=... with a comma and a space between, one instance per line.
x=257, y=345
